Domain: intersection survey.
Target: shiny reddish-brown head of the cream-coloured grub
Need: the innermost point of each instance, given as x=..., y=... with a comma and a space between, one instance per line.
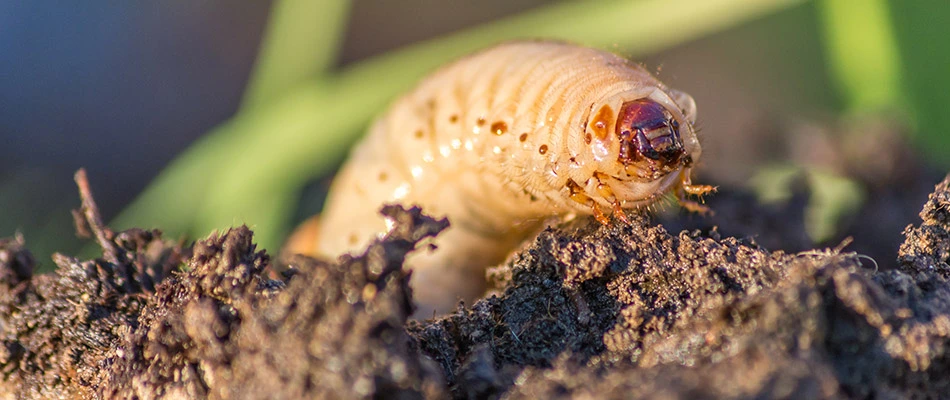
x=640, y=144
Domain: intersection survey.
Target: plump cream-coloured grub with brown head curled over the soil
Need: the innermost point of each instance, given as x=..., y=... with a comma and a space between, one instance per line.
x=501, y=140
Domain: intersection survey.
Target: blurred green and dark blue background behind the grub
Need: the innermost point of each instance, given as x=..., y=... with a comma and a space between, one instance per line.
x=194, y=116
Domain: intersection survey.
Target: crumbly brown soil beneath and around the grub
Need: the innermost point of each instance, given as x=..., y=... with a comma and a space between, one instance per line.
x=689, y=308
